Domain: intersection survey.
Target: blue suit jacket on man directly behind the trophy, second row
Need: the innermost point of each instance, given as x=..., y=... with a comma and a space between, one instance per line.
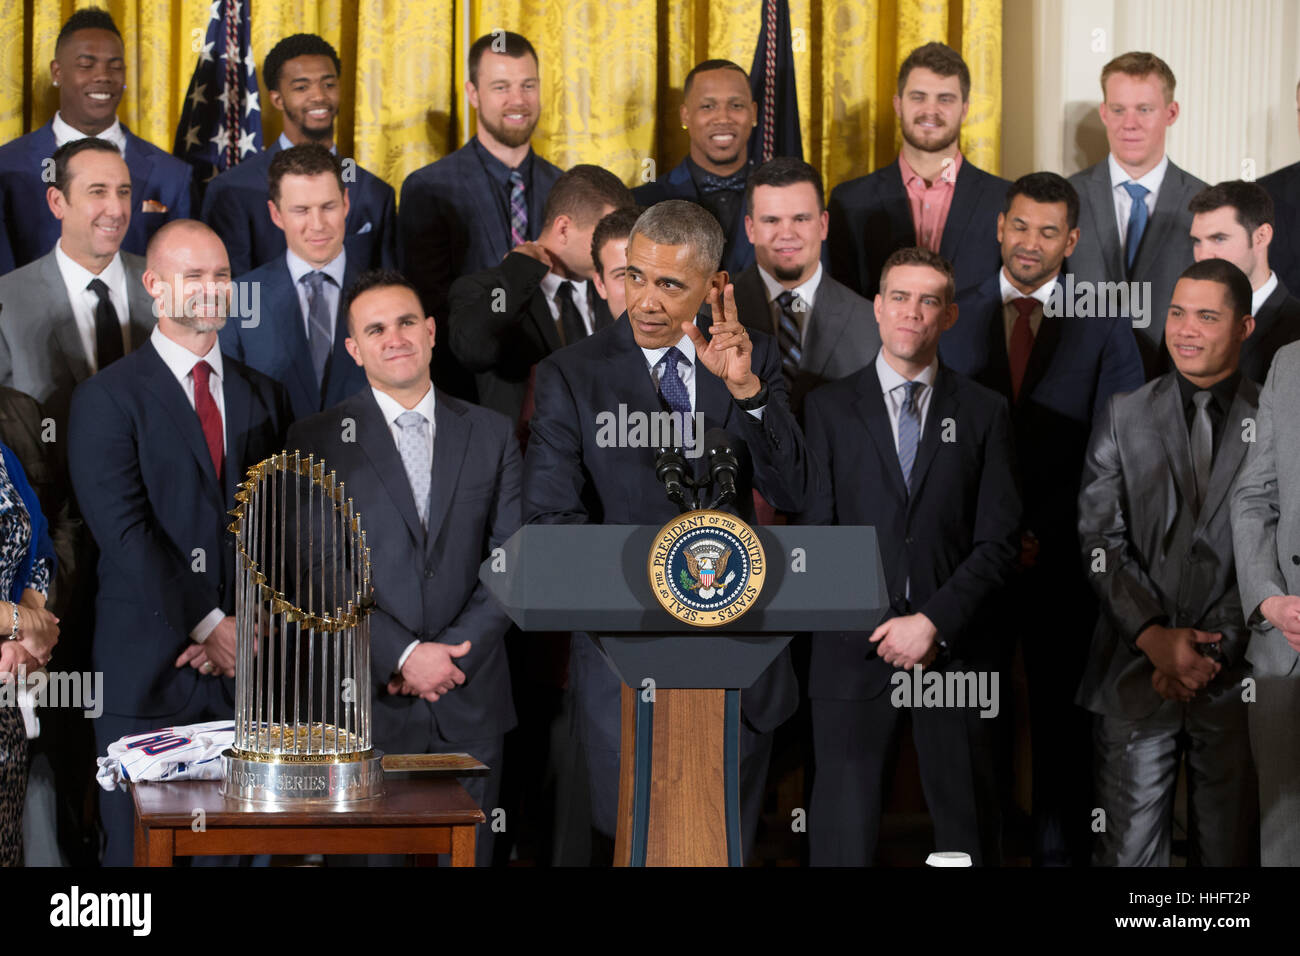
x=278, y=345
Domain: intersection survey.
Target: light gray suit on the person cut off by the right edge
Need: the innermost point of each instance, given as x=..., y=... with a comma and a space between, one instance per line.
x=1267, y=539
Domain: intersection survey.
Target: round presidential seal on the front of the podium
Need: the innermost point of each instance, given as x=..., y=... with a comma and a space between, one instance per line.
x=707, y=568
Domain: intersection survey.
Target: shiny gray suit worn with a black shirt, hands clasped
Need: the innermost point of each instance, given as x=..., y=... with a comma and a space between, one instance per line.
x=1165, y=564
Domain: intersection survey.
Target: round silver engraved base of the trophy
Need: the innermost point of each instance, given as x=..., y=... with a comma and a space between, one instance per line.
x=302, y=784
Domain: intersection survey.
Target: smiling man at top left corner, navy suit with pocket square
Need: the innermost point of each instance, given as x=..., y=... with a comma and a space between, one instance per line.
x=90, y=72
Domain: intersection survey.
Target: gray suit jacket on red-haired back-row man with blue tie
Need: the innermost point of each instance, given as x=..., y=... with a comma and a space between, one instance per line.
x=1165, y=250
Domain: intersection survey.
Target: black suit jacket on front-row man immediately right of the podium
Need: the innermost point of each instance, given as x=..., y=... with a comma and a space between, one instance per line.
x=956, y=537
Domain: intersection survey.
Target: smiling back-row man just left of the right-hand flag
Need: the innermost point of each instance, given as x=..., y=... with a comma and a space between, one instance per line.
x=718, y=111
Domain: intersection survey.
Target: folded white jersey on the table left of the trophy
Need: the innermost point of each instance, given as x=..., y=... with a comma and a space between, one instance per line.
x=189, y=752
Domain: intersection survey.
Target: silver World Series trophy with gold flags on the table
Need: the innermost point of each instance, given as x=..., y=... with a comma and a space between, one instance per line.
x=304, y=642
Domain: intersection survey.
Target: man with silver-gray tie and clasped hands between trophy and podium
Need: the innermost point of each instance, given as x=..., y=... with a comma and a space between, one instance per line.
x=437, y=485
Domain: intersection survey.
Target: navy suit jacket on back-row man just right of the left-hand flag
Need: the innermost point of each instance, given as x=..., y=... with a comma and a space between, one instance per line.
x=236, y=207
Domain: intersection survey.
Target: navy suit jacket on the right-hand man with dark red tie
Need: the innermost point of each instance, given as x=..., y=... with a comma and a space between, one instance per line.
x=1077, y=365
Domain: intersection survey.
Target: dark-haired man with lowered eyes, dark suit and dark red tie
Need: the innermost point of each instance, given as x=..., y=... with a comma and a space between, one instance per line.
x=1020, y=338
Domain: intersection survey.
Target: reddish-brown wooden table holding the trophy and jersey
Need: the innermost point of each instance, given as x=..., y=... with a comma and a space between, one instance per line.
x=417, y=815
